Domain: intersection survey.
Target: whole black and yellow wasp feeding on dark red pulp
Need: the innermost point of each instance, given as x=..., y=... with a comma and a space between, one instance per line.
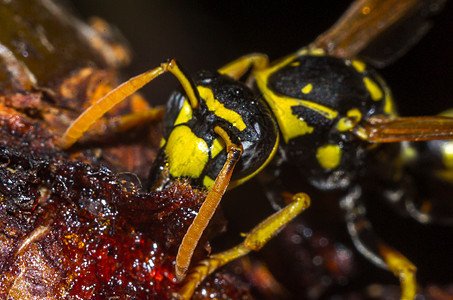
x=321, y=108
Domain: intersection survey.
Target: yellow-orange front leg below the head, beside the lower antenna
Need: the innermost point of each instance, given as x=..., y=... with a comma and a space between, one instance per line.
x=254, y=240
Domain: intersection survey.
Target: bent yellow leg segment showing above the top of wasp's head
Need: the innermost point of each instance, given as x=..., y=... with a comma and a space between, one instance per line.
x=237, y=68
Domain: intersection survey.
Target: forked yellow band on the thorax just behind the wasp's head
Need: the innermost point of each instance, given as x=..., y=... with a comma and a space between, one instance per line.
x=290, y=124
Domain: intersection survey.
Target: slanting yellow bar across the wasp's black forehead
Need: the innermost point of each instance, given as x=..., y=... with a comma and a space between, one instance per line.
x=219, y=109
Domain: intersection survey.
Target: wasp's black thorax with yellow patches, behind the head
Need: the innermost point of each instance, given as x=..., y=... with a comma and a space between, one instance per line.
x=317, y=101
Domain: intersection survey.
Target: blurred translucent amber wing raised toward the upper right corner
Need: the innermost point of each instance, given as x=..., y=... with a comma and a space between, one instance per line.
x=379, y=31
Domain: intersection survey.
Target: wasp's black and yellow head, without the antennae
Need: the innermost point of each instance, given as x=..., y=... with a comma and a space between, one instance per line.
x=190, y=146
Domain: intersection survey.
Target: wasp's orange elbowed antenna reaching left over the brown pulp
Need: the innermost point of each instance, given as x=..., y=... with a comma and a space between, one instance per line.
x=106, y=103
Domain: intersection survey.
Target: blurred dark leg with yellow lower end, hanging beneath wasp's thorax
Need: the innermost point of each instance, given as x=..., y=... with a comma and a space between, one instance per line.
x=366, y=241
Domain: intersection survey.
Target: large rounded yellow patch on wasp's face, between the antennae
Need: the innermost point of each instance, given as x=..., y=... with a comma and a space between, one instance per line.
x=187, y=154
